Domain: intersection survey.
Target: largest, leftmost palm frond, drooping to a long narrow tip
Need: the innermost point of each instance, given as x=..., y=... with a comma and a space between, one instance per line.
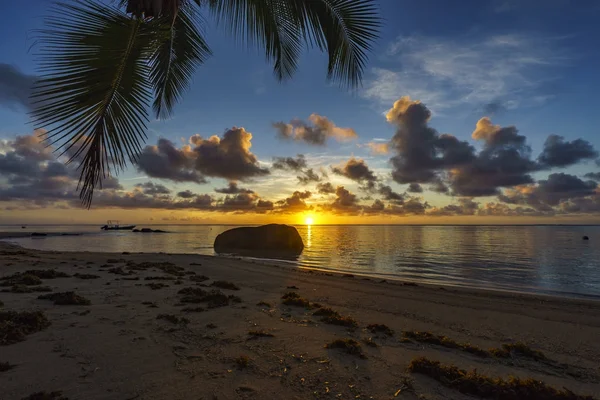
x=93, y=93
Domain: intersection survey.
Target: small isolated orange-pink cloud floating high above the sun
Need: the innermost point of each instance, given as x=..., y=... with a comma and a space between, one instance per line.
x=316, y=134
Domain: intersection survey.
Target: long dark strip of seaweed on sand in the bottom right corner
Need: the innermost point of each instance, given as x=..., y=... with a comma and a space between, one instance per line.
x=473, y=383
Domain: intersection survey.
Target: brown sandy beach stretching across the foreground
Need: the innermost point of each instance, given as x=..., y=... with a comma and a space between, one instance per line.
x=250, y=343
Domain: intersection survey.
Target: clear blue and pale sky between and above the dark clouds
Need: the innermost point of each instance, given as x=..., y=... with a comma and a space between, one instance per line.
x=528, y=63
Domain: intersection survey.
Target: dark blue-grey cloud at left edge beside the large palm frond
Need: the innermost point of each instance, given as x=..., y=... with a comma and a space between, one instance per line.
x=15, y=87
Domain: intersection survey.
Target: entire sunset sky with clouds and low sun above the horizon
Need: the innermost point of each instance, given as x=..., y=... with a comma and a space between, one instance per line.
x=474, y=112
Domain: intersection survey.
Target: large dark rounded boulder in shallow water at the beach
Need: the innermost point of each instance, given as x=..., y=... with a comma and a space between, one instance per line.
x=266, y=238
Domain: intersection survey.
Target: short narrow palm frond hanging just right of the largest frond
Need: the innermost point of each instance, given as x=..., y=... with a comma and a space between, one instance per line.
x=178, y=49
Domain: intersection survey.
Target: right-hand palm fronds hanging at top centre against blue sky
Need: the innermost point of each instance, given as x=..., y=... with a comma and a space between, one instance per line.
x=343, y=28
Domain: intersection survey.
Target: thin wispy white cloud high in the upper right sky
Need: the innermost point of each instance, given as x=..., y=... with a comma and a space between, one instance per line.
x=510, y=70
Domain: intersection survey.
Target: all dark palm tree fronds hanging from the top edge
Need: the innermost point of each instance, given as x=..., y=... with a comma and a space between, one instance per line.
x=101, y=65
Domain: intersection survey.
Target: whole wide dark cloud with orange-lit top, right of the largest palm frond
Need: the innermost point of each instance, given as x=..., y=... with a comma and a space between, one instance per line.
x=228, y=158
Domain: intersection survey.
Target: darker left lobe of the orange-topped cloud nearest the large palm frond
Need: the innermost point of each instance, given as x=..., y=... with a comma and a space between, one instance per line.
x=165, y=161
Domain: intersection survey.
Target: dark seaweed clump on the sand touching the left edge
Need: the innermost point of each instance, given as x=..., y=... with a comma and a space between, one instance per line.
x=15, y=326
